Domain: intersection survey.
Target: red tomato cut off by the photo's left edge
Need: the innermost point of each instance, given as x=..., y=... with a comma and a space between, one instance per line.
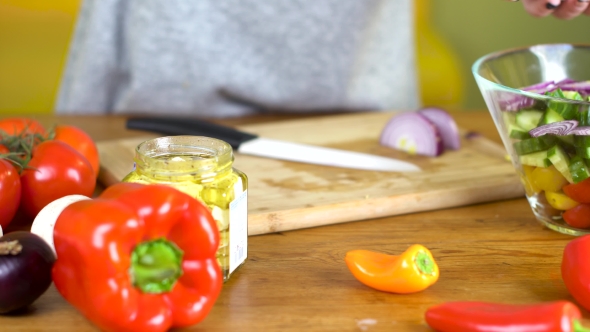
x=10, y=191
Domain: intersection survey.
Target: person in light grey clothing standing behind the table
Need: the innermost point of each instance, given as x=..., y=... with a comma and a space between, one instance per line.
x=225, y=58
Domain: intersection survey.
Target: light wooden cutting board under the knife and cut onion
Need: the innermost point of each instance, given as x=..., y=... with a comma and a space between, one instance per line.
x=287, y=195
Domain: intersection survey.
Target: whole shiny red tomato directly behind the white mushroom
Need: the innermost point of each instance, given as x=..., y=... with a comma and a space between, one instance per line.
x=55, y=170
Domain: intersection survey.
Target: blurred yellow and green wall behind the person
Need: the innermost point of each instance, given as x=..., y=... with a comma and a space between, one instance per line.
x=451, y=35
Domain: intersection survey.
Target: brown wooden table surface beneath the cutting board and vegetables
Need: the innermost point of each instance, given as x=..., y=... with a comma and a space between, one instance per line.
x=298, y=281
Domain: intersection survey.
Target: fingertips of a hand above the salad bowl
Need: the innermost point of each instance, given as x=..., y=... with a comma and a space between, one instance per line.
x=563, y=9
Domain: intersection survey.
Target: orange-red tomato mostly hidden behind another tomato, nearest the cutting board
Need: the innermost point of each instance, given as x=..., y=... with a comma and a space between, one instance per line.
x=81, y=142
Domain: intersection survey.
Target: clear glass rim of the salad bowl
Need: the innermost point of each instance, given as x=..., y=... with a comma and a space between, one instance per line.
x=496, y=54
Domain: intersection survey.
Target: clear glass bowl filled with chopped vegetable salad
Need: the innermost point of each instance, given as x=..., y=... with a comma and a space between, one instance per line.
x=539, y=99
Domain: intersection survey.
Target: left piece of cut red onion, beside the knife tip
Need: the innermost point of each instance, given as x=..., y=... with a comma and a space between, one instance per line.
x=413, y=133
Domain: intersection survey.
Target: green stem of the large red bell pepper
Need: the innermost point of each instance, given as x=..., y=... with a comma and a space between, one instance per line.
x=155, y=266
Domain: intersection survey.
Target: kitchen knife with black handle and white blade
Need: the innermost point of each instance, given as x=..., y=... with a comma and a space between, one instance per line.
x=247, y=143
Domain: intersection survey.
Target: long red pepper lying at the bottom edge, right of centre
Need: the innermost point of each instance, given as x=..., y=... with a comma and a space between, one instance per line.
x=497, y=317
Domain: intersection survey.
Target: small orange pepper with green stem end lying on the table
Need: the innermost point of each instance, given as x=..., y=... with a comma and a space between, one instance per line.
x=412, y=271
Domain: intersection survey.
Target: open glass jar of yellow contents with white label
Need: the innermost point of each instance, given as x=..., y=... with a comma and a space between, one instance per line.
x=203, y=168
